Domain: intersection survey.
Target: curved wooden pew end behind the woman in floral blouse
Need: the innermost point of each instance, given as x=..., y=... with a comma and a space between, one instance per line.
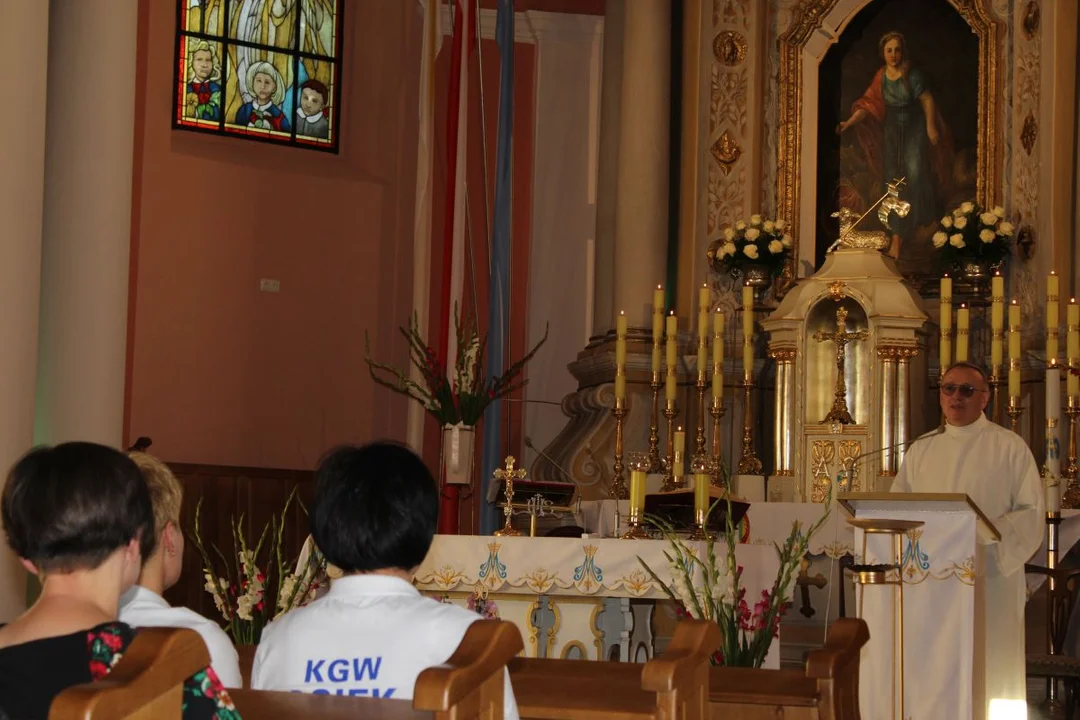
x=146, y=684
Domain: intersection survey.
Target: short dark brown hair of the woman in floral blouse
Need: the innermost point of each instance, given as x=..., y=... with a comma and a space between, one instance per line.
x=70, y=507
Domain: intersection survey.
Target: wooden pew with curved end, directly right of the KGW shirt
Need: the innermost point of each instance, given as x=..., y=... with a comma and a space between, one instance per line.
x=668, y=688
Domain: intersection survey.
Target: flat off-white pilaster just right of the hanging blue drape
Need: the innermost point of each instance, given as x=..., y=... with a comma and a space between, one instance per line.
x=564, y=210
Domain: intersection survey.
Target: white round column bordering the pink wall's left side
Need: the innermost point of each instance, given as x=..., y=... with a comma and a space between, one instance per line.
x=85, y=274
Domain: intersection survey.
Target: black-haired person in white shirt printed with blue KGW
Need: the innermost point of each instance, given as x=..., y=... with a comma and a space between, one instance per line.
x=374, y=518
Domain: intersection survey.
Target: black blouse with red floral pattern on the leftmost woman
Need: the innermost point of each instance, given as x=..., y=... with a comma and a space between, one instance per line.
x=33, y=674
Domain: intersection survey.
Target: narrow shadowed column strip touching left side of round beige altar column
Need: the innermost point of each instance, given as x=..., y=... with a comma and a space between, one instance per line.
x=615, y=15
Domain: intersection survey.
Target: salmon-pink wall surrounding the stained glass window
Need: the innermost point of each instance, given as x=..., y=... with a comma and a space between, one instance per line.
x=219, y=372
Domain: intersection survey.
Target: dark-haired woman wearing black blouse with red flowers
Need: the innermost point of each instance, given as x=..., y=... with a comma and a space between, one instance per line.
x=79, y=517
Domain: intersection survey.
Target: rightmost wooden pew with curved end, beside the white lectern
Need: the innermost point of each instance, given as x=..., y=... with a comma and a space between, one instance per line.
x=827, y=690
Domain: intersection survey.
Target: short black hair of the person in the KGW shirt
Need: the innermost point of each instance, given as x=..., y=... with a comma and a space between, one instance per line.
x=376, y=508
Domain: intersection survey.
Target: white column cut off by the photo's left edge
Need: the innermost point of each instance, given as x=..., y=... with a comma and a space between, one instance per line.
x=22, y=184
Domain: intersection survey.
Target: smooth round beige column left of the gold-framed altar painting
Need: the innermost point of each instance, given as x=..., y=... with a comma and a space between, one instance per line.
x=641, y=222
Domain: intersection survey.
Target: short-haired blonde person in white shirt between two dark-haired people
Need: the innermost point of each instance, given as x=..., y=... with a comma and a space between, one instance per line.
x=143, y=605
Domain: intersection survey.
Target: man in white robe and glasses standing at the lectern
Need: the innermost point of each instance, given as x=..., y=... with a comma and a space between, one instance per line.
x=995, y=468
